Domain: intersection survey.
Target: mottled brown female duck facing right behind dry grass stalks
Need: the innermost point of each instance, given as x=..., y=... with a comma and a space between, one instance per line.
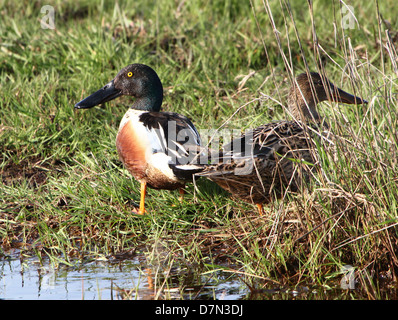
x=265, y=161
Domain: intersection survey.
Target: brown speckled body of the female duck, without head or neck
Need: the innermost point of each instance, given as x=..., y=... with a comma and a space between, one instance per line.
x=284, y=158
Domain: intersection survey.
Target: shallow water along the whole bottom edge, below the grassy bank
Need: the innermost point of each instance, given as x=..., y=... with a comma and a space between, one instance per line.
x=132, y=278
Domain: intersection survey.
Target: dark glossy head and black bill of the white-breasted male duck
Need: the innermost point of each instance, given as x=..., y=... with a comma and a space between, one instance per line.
x=136, y=80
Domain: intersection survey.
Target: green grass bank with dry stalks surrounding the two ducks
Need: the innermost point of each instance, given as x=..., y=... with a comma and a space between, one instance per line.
x=64, y=193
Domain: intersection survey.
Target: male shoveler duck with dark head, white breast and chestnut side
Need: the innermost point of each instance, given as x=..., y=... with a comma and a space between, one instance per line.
x=155, y=146
